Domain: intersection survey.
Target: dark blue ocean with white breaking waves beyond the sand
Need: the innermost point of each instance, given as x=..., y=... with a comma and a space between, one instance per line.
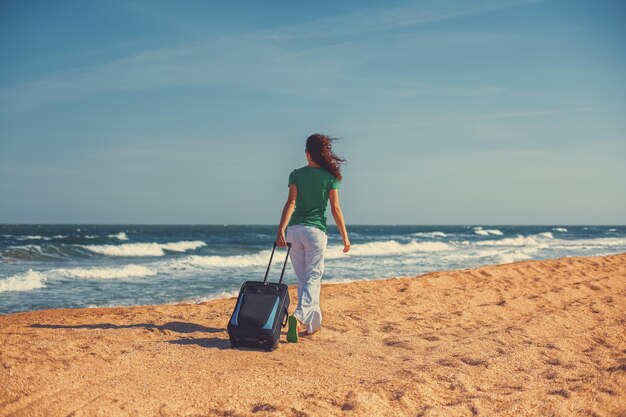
x=68, y=266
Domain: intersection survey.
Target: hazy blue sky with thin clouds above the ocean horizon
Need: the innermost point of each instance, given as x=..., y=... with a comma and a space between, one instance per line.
x=450, y=111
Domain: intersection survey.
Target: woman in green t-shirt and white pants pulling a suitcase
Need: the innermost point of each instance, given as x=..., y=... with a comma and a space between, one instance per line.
x=310, y=189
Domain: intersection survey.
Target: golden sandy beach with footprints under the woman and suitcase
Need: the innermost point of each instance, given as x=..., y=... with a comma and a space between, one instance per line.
x=526, y=338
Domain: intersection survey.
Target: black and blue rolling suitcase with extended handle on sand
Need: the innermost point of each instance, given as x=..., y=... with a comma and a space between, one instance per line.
x=261, y=311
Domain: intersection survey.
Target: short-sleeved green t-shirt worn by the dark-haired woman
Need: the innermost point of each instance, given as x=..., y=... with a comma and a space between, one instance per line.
x=313, y=186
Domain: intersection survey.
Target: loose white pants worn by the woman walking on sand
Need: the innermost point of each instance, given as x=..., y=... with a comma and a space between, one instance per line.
x=308, y=245
